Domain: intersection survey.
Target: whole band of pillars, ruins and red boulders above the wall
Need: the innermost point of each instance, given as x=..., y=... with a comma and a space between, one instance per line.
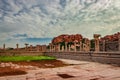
x=75, y=43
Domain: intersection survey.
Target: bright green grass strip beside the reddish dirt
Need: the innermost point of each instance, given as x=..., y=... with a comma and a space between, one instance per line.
x=24, y=58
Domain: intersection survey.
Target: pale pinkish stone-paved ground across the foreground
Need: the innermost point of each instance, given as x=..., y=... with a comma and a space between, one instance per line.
x=78, y=70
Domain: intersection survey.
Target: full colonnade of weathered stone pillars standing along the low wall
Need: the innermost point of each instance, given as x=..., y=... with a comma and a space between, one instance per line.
x=76, y=46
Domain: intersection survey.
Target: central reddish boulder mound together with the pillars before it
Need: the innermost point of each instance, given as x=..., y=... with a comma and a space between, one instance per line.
x=70, y=43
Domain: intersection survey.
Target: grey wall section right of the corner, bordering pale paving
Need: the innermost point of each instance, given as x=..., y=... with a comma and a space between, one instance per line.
x=102, y=57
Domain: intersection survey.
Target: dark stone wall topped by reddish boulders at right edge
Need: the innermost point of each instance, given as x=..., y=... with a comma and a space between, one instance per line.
x=110, y=42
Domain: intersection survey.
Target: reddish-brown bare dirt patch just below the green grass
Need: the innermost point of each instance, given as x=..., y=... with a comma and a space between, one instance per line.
x=8, y=70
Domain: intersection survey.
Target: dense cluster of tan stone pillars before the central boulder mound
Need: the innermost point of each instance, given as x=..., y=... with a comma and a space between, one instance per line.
x=66, y=47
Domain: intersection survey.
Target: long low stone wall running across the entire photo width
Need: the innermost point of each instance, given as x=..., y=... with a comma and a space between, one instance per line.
x=102, y=57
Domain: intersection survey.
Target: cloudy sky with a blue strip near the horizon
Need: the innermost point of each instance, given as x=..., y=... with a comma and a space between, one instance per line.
x=38, y=21
